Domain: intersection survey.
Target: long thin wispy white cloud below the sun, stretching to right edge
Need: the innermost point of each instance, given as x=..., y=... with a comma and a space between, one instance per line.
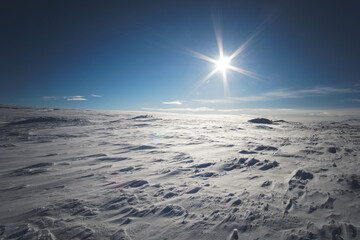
x=283, y=94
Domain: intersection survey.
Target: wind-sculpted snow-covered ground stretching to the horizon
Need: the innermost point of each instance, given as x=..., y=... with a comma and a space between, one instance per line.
x=76, y=174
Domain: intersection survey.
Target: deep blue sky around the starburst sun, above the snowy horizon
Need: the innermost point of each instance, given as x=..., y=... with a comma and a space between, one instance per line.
x=139, y=55
